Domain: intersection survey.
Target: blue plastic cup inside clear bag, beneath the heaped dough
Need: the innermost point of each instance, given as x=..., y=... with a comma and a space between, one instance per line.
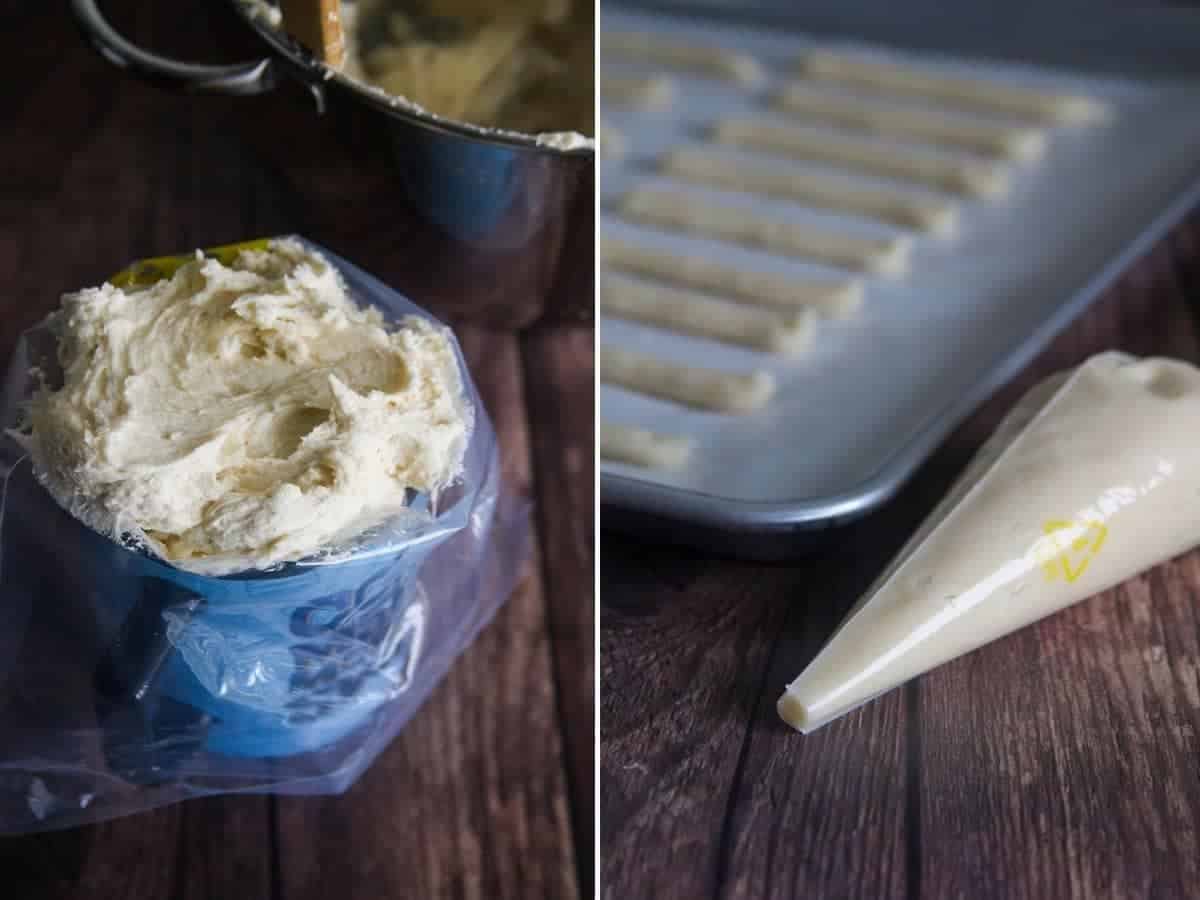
x=271, y=664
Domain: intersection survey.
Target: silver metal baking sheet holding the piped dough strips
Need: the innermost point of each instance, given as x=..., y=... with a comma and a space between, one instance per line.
x=854, y=417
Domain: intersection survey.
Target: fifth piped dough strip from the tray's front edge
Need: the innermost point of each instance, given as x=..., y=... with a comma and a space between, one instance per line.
x=741, y=225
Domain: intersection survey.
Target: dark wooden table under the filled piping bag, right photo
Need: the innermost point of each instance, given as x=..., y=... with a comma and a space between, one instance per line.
x=1063, y=761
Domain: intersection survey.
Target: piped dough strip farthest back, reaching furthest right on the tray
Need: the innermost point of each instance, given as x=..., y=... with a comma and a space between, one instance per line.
x=986, y=97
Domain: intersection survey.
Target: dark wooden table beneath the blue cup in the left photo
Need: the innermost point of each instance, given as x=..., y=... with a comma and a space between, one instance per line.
x=489, y=791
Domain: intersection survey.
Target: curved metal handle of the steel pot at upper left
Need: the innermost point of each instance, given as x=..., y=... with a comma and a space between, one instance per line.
x=238, y=79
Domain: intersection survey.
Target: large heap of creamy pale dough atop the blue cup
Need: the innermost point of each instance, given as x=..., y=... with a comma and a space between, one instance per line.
x=237, y=417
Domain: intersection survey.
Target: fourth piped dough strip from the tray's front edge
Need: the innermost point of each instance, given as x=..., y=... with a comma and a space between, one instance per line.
x=838, y=299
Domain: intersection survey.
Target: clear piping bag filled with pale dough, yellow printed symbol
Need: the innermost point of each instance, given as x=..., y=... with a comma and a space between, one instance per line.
x=1091, y=479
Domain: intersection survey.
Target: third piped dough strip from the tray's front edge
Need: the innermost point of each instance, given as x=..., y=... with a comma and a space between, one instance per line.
x=694, y=314
